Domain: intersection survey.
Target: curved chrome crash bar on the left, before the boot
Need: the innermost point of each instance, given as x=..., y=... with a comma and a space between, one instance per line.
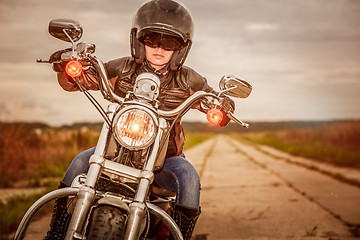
x=31, y=212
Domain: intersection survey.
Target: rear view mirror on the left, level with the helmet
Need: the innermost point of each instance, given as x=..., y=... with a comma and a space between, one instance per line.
x=66, y=29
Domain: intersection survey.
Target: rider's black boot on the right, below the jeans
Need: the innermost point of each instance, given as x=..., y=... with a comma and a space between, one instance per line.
x=186, y=219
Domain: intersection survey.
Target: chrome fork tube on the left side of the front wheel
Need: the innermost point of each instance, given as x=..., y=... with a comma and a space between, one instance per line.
x=86, y=195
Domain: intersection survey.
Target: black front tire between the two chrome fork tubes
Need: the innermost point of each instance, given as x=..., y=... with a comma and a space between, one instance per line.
x=107, y=222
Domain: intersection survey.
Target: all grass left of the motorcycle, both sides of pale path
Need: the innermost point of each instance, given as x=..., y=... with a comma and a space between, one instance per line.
x=28, y=157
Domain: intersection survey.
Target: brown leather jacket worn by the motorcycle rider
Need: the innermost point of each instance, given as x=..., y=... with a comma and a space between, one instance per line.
x=175, y=88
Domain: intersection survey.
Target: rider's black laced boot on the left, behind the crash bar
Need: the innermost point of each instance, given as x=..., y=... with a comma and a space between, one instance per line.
x=60, y=218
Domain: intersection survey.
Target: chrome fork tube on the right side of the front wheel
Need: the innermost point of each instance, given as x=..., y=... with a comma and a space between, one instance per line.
x=138, y=207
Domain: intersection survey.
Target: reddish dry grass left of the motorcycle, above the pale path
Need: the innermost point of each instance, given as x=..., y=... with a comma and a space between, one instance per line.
x=31, y=155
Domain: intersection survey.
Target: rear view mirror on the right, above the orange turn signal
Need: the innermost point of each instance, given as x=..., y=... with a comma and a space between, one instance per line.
x=233, y=86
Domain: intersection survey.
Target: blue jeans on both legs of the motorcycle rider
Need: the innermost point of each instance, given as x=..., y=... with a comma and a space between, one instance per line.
x=178, y=175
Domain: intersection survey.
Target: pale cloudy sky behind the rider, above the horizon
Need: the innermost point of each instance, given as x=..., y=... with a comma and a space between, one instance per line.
x=302, y=57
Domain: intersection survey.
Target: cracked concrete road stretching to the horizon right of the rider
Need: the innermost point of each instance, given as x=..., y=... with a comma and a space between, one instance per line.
x=247, y=194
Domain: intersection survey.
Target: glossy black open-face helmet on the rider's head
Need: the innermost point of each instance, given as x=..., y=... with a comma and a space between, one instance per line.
x=165, y=17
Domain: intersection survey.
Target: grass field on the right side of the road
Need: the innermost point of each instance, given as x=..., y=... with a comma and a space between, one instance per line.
x=337, y=142
